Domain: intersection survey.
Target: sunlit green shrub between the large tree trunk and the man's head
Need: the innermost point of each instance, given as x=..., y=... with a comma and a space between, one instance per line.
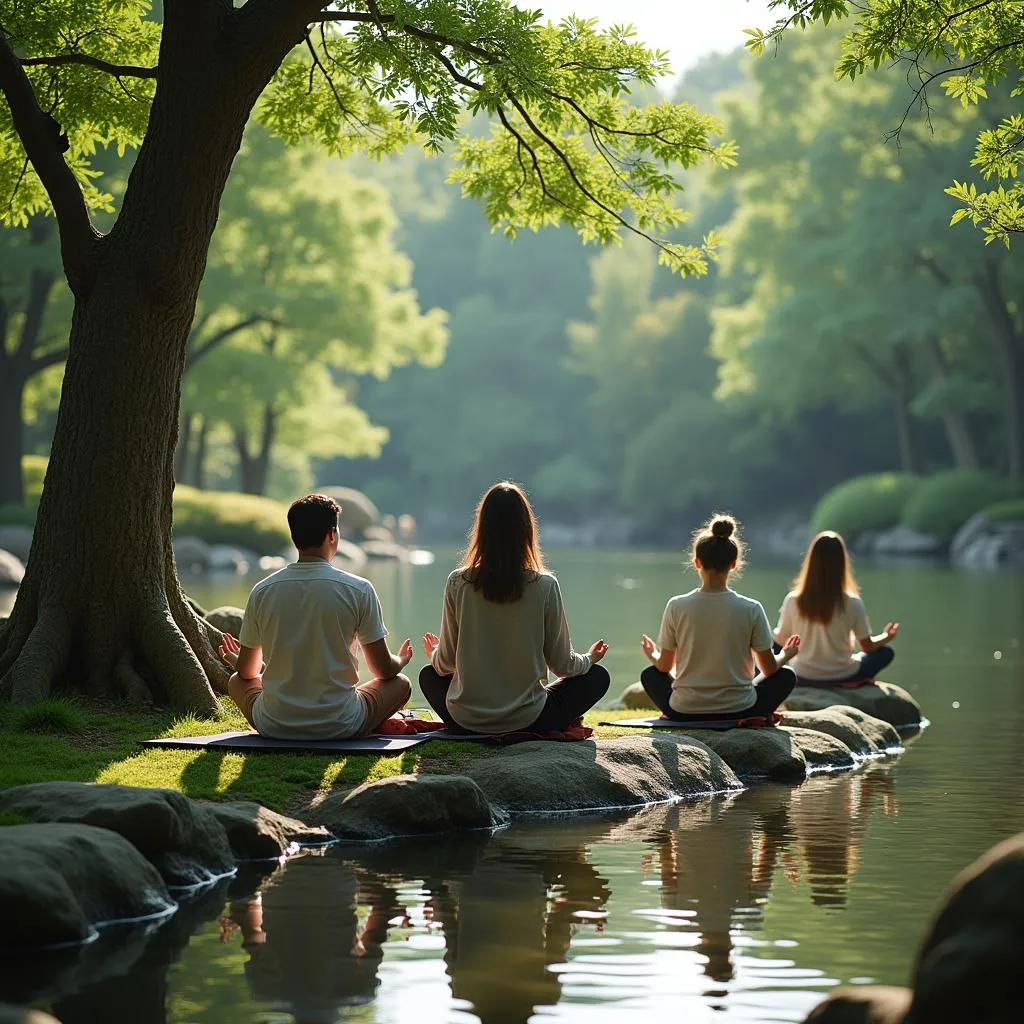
x=225, y=518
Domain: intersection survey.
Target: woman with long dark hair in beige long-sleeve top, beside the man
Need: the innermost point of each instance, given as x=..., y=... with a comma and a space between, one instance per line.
x=503, y=628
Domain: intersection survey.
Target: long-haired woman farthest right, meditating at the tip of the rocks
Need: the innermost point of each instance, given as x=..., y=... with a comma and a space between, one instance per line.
x=825, y=608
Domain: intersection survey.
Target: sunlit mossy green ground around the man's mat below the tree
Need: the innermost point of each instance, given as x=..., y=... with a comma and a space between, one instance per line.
x=88, y=742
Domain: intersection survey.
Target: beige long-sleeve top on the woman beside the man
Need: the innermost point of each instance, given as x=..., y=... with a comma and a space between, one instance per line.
x=499, y=655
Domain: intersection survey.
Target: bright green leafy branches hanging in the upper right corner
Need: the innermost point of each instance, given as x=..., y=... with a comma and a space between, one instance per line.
x=963, y=48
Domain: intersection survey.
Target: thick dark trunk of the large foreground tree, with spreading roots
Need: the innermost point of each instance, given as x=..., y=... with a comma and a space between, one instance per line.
x=101, y=609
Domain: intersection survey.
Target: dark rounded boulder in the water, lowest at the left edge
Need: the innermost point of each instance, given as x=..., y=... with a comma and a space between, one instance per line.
x=59, y=881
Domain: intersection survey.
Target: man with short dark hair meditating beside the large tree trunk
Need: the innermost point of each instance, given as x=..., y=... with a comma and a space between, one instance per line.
x=306, y=621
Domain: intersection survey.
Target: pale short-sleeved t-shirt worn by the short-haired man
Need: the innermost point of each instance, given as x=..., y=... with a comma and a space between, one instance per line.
x=308, y=618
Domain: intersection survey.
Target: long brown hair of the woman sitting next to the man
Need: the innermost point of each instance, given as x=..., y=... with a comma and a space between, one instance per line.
x=503, y=553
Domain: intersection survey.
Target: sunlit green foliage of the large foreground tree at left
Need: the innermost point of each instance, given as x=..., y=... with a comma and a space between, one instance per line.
x=569, y=145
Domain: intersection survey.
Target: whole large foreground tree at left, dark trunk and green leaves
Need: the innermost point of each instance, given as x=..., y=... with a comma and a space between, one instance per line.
x=568, y=147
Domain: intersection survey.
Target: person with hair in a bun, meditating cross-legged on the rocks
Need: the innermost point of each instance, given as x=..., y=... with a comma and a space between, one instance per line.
x=703, y=665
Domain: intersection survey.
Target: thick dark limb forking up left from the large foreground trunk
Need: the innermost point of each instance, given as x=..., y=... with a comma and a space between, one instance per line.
x=45, y=145
